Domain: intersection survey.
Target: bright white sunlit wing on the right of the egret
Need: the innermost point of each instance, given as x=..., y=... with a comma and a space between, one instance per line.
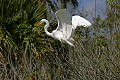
x=79, y=21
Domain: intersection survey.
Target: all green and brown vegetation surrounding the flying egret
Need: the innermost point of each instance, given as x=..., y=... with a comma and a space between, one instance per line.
x=27, y=53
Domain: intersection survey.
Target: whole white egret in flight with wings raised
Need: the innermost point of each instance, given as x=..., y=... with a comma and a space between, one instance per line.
x=66, y=26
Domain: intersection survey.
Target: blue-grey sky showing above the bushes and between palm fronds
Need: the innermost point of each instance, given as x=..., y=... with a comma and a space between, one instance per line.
x=86, y=8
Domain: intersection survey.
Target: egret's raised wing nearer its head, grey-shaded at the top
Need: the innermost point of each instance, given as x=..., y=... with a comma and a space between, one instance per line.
x=64, y=22
